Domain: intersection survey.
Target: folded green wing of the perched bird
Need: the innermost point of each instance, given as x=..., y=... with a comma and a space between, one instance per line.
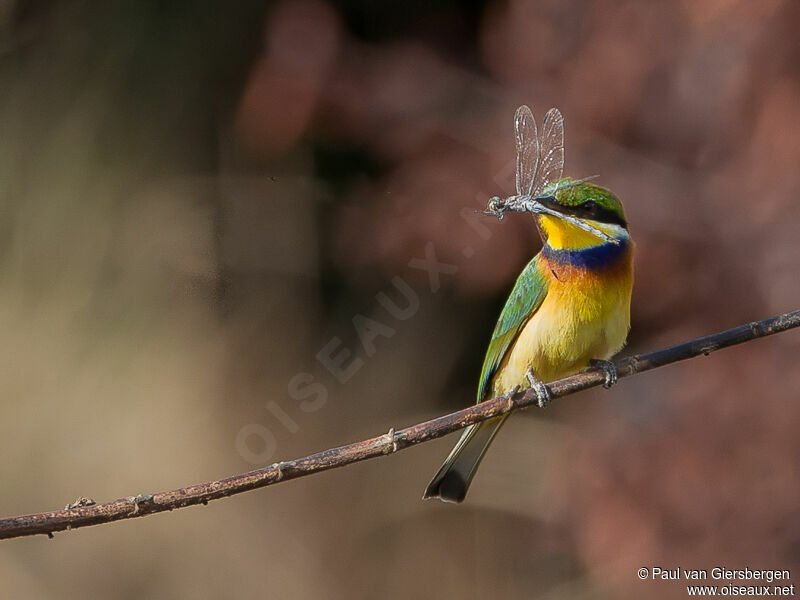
x=522, y=304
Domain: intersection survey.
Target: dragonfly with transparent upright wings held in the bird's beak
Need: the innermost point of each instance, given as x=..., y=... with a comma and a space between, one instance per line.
x=540, y=165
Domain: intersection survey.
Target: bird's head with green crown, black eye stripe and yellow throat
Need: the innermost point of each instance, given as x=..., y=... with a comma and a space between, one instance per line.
x=592, y=204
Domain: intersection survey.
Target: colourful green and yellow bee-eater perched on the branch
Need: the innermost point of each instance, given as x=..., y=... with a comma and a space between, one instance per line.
x=568, y=310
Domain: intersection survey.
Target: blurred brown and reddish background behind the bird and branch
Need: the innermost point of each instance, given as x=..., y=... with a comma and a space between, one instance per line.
x=203, y=204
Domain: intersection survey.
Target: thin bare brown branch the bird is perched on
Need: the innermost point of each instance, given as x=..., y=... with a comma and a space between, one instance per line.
x=81, y=515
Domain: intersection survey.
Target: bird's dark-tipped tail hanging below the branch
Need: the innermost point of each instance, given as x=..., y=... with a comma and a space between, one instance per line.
x=451, y=482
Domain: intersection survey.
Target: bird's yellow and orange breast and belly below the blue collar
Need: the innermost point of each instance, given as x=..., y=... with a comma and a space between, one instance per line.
x=585, y=315
